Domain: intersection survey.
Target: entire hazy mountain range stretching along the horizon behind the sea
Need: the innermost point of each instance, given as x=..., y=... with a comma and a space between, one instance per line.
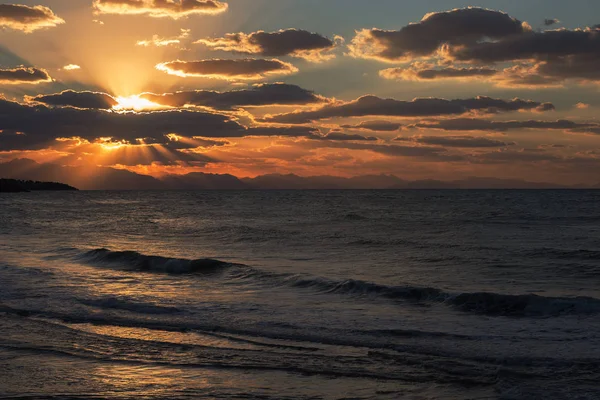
x=104, y=178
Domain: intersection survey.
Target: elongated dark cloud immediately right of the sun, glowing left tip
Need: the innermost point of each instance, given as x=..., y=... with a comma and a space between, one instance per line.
x=259, y=95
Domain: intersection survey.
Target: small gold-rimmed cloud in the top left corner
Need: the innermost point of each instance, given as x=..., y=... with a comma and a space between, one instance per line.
x=27, y=19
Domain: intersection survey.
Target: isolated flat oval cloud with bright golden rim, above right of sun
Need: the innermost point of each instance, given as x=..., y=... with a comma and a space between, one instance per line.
x=242, y=69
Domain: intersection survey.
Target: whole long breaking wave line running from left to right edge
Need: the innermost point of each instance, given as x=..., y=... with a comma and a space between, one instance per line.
x=485, y=303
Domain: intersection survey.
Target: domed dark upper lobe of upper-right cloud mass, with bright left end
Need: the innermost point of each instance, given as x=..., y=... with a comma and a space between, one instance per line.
x=457, y=27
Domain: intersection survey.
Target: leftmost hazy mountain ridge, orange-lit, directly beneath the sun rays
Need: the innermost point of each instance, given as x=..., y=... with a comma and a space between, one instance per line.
x=85, y=178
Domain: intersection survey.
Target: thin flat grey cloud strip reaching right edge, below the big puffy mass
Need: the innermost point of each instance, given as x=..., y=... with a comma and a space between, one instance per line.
x=471, y=124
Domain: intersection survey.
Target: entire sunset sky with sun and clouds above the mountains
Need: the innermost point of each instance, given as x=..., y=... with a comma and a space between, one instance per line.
x=434, y=89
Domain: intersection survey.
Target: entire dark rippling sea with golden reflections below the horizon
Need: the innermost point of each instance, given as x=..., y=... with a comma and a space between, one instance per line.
x=300, y=295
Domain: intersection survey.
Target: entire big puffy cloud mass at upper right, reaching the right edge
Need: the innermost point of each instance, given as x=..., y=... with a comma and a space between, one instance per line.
x=480, y=37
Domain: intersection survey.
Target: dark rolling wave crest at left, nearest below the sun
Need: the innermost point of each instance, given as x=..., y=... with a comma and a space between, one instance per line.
x=137, y=261
